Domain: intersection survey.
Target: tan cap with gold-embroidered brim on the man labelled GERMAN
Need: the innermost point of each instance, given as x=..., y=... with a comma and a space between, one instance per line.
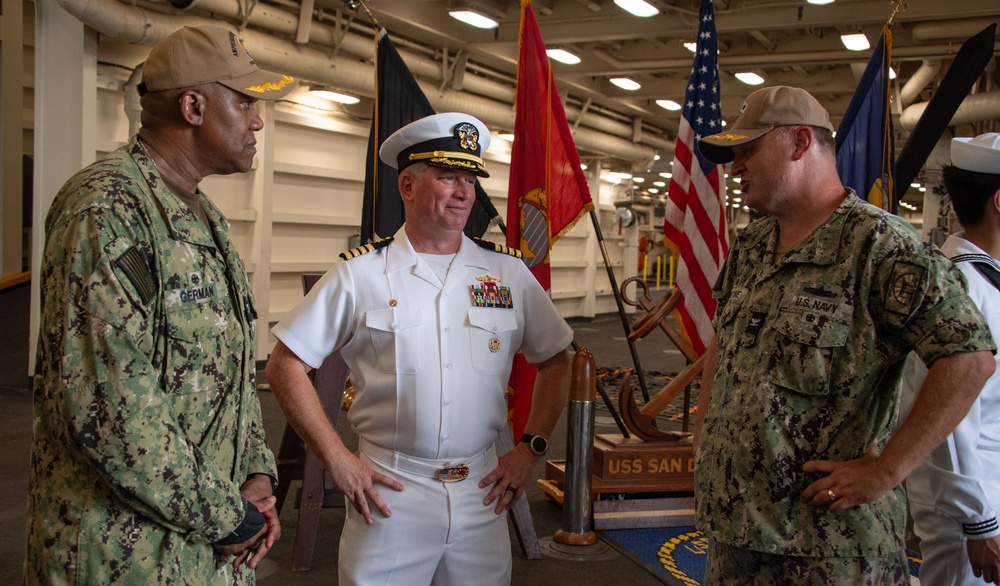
x=196, y=55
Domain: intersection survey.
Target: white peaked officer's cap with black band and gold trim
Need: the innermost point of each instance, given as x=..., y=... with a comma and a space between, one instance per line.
x=451, y=140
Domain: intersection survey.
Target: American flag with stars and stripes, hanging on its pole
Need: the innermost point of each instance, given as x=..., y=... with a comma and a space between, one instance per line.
x=695, y=222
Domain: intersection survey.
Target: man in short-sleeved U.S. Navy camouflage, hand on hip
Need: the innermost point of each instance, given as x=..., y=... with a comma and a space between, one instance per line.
x=798, y=474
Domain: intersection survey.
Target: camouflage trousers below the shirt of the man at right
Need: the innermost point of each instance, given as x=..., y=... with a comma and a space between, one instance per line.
x=734, y=566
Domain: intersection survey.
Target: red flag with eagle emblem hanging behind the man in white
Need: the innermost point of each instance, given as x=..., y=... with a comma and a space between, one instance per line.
x=548, y=192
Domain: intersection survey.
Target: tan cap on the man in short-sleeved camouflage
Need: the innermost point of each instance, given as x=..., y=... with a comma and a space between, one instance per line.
x=763, y=111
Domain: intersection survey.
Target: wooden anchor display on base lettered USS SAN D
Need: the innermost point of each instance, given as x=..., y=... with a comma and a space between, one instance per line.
x=654, y=461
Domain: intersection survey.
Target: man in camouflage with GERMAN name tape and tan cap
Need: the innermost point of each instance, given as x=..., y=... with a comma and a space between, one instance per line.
x=149, y=463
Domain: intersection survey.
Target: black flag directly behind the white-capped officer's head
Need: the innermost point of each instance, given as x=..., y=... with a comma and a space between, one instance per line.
x=399, y=101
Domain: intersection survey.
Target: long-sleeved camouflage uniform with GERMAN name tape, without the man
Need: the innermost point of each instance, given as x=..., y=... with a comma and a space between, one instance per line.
x=146, y=418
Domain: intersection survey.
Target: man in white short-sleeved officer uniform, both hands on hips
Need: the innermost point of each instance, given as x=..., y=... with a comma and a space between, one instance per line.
x=428, y=323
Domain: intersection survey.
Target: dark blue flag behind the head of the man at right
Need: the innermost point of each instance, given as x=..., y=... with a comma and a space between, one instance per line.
x=865, y=157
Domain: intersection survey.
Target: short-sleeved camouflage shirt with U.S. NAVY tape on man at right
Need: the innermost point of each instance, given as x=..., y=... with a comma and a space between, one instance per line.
x=810, y=353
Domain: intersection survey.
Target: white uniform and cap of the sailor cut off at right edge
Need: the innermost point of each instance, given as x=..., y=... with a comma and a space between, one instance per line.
x=954, y=493
